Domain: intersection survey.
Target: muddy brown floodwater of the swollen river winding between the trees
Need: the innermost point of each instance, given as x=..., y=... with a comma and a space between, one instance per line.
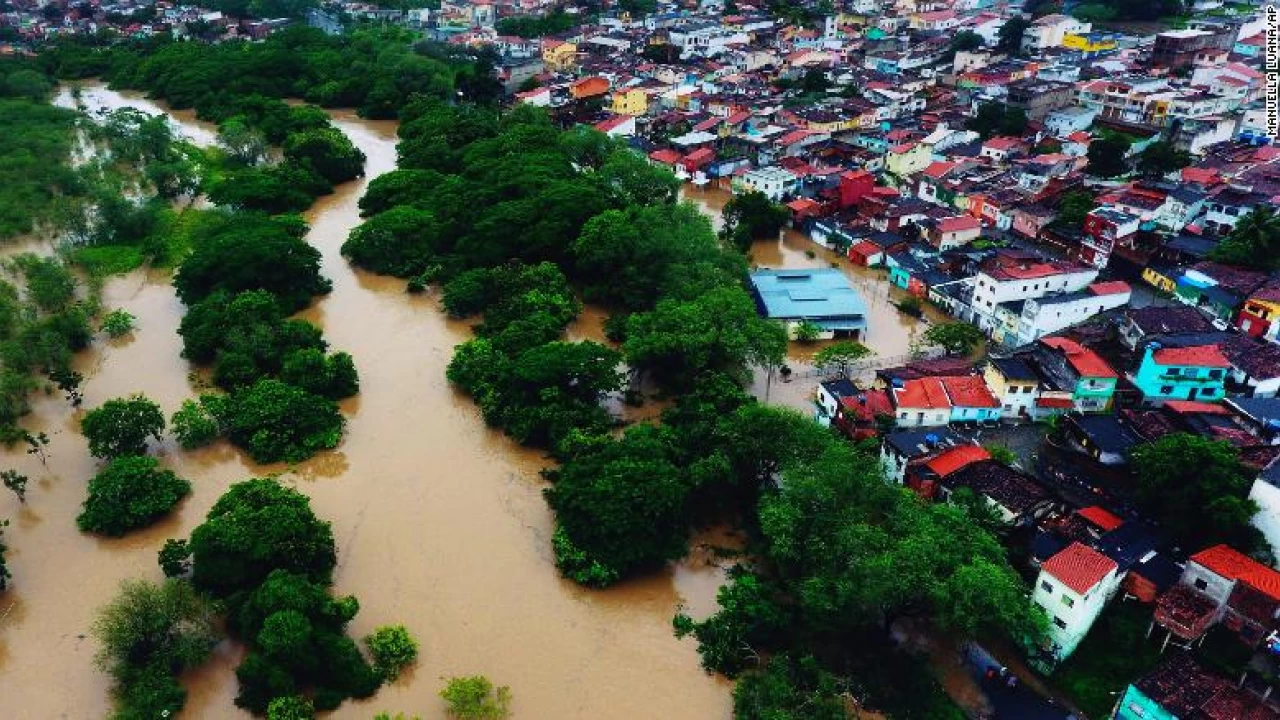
x=440, y=522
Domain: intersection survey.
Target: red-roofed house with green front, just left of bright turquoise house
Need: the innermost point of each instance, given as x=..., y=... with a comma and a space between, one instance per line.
x=1068, y=367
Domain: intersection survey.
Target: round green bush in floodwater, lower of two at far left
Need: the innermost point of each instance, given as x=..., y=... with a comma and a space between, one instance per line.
x=130, y=494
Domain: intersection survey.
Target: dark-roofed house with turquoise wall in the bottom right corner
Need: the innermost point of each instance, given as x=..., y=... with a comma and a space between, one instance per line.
x=1181, y=690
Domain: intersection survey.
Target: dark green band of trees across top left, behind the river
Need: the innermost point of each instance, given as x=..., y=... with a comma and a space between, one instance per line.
x=377, y=72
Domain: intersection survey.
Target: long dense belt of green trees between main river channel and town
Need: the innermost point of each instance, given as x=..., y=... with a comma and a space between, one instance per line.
x=514, y=218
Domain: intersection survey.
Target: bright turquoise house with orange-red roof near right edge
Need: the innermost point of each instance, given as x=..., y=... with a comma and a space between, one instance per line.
x=1182, y=373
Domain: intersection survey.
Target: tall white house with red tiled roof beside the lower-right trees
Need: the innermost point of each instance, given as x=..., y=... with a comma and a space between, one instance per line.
x=1072, y=589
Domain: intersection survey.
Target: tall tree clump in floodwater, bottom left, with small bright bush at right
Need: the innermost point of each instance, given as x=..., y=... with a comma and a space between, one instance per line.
x=264, y=554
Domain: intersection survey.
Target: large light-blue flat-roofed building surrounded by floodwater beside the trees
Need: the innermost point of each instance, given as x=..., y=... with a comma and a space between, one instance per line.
x=821, y=297
